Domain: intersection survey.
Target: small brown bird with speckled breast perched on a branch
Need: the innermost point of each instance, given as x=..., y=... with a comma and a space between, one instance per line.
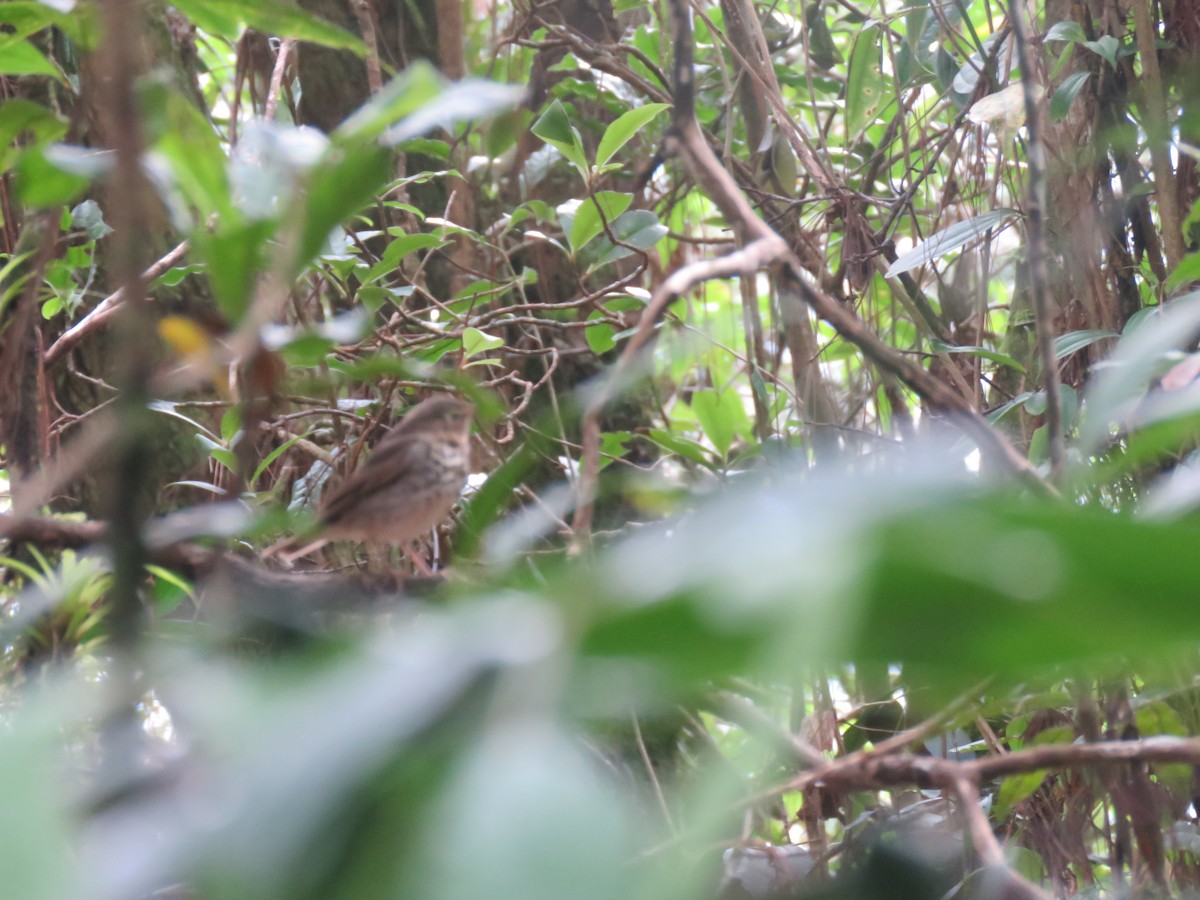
x=409, y=484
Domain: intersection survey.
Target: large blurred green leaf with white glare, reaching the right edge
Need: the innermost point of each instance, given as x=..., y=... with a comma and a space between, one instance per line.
x=917, y=568
